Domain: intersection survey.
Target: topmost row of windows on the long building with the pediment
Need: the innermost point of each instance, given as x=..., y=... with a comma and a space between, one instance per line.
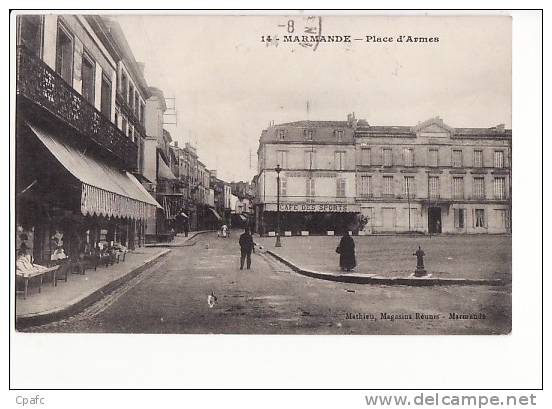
x=432, y=157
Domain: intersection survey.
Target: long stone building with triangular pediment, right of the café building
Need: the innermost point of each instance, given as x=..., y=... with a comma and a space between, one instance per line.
x=432, y=178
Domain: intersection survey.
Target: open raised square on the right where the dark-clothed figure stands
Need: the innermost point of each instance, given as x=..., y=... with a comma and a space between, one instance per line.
x=480, y=260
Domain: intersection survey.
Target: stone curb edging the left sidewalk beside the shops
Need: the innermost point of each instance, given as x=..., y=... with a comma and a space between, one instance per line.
x=25, y=321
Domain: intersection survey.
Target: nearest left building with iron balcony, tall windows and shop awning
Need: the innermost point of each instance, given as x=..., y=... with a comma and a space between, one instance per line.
x=75, y=168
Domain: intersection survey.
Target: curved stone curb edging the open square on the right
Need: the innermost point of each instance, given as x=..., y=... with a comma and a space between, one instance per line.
x=364, y=279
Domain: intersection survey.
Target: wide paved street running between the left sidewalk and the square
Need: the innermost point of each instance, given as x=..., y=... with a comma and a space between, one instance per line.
x=171, y=297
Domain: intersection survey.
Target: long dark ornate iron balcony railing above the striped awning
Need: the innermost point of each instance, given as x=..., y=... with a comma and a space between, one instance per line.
x=37, y=82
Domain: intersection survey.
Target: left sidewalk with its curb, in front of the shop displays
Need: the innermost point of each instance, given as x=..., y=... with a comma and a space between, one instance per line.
x=80, y=291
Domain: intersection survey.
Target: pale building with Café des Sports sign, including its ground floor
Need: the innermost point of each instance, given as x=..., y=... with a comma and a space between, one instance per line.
x=317, y=179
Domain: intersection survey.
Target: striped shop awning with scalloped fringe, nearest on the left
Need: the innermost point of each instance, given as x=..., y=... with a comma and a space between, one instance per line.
x=106, y=190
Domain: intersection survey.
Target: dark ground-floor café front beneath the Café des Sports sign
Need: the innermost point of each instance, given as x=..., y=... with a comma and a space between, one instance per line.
x=296, y=218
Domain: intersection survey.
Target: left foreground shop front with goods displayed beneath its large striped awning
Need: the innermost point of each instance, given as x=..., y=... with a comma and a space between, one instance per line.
x=70, y=202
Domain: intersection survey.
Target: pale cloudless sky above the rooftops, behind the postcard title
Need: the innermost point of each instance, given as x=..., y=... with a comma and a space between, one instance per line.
x=229, y=85
